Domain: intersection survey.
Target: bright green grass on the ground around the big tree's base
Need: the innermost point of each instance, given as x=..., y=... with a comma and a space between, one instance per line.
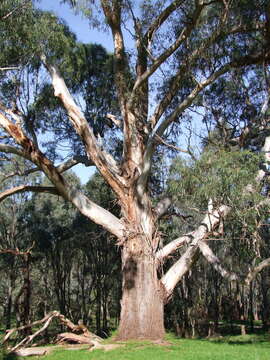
x=247, y=347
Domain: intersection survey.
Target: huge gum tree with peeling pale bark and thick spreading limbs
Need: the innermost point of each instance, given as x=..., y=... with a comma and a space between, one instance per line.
x=199, y=41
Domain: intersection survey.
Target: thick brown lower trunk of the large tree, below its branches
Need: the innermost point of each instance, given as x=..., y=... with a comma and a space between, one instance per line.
x=142, y=304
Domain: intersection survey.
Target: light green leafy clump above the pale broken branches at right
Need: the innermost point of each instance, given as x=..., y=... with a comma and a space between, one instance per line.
x=219, y=175
